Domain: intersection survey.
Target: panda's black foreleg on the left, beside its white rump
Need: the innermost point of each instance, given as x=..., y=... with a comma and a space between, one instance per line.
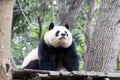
x=45, y=58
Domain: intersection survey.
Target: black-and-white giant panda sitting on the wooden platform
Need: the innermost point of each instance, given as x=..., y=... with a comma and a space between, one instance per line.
x=56, y=51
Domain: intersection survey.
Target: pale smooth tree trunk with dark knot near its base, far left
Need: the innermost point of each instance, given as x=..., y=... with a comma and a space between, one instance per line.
x=6, y=10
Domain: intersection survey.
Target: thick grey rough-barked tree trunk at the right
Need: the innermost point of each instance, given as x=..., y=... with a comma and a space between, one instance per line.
x=104, y=46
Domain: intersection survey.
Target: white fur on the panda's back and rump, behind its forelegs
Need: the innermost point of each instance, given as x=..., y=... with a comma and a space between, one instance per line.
x=33, y=55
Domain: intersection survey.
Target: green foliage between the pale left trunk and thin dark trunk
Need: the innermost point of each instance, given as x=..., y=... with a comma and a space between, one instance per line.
x=24, y=28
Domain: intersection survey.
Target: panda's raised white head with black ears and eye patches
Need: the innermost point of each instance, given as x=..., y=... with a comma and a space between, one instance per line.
x=58, y=36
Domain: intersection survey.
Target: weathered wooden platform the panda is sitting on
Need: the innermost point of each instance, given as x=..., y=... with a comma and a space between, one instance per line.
x=29, y=74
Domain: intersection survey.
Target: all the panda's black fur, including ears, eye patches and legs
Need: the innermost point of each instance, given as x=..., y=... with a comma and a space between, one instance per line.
x=55, y=58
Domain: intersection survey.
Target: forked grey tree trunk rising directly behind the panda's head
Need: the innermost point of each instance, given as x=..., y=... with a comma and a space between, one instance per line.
x=69, y=15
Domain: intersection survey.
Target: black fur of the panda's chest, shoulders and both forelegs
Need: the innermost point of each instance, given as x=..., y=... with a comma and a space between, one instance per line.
x=52, y=58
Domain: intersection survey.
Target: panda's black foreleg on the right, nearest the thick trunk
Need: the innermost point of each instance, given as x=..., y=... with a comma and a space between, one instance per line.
x=71, y=60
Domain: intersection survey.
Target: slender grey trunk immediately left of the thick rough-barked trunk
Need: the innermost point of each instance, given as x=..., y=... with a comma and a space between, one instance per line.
x=88, y=30
